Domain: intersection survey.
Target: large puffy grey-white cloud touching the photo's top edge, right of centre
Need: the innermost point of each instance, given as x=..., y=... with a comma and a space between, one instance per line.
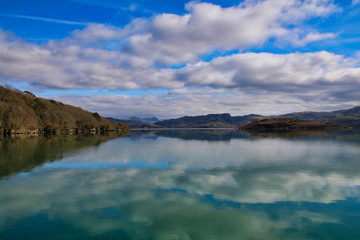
x=173, y=39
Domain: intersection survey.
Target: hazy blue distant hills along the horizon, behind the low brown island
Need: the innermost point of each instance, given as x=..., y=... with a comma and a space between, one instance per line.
x=350, y=117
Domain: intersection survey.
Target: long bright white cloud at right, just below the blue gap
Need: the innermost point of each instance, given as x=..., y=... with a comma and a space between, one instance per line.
x=274, y=72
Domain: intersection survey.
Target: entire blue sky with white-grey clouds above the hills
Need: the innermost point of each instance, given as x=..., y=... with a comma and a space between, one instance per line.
x=174, y=58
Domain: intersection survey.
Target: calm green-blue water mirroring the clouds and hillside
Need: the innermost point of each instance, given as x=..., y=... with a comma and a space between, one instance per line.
x=181, y=185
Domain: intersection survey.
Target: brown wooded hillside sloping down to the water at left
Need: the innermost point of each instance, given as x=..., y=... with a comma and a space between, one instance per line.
x=23, y=112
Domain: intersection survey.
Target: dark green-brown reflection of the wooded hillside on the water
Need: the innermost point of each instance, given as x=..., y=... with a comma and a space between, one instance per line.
x=19, y=154
